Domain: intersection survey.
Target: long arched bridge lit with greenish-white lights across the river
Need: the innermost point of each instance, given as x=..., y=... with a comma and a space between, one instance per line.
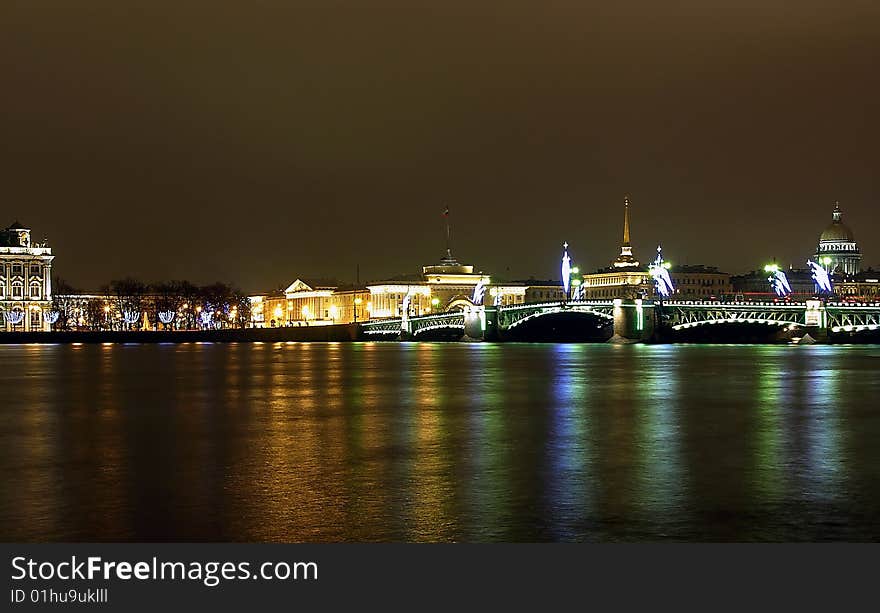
x=634, y=320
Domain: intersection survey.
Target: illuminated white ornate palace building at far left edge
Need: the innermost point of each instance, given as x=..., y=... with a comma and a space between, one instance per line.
x=25, y=281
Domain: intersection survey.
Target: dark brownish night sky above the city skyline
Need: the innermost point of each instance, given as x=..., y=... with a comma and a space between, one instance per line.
x=256, y=142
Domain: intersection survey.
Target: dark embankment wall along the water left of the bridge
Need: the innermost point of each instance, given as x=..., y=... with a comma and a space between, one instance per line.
x=335, y=333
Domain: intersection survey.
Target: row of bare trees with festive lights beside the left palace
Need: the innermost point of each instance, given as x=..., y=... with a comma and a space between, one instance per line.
x=128, y=304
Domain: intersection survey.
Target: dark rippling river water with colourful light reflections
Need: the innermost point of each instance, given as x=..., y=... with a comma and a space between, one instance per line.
x=439, y=442
